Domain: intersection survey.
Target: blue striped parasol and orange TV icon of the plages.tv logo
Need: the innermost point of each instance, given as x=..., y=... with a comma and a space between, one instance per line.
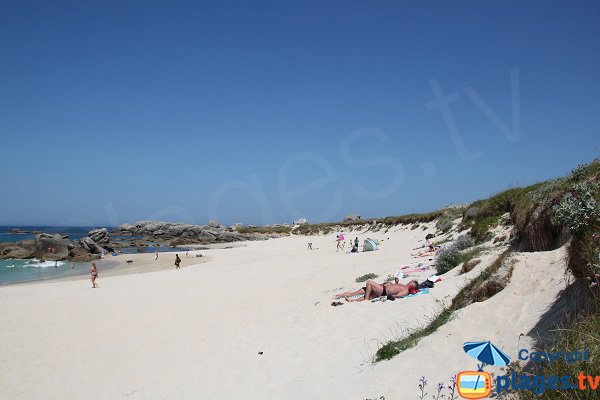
x=478, y=384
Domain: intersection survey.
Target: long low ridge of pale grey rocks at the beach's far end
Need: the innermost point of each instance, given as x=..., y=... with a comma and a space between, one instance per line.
x=184, y=233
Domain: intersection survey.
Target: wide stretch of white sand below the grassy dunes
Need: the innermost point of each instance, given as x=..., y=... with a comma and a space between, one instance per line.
x=256, y=322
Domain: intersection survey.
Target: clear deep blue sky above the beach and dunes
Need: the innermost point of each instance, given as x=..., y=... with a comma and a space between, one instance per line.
x=261, y=112
